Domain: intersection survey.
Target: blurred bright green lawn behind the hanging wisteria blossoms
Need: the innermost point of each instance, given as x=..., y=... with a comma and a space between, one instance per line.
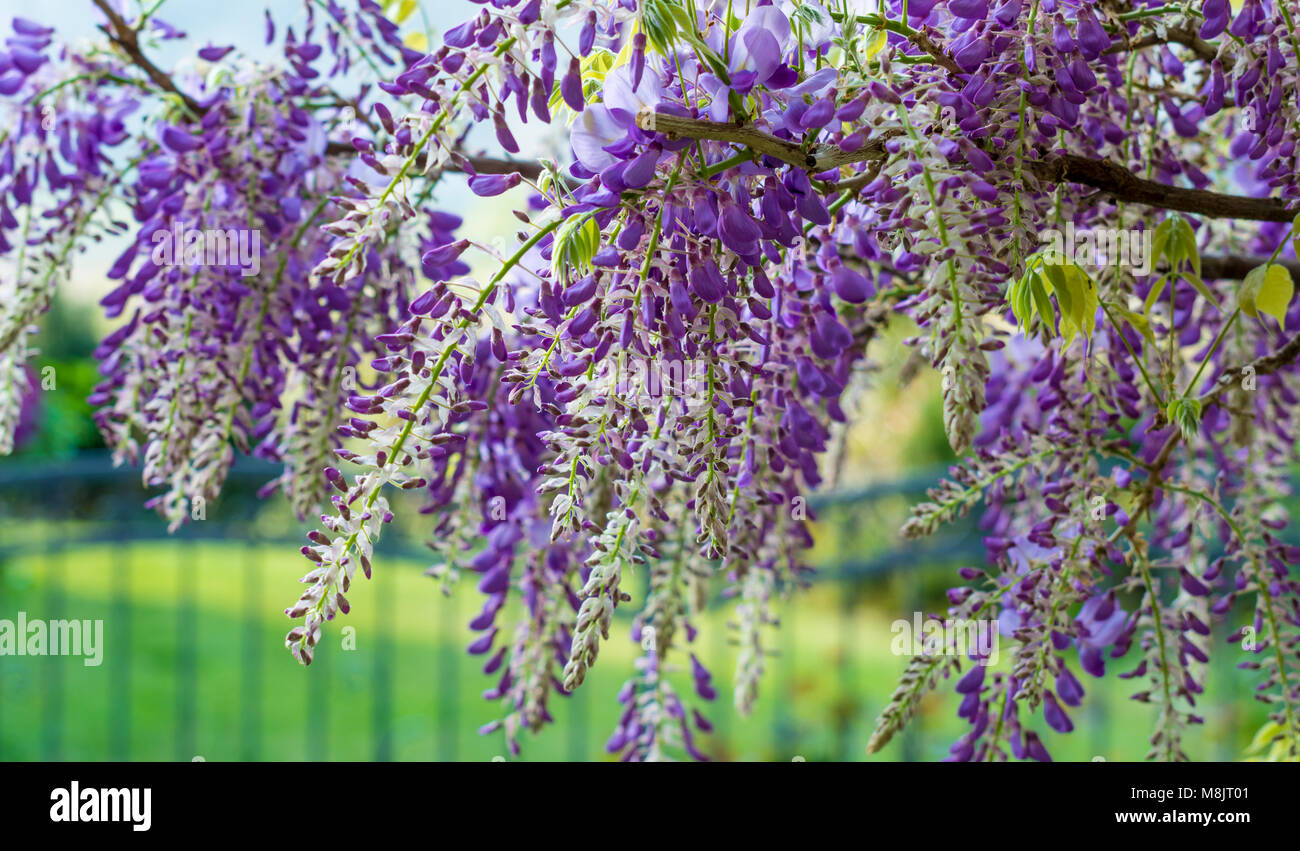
x=196, y=667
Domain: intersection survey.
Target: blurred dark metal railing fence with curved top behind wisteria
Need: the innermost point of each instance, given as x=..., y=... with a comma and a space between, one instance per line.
x=203, y=674
